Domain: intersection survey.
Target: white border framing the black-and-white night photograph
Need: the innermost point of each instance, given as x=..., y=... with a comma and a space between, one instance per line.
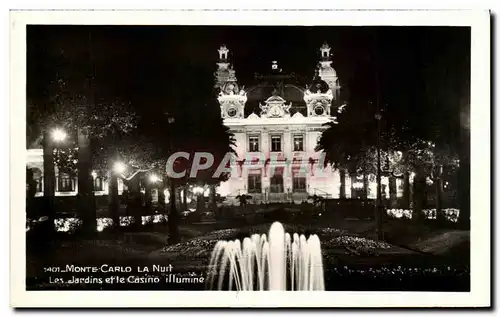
x=480, y=162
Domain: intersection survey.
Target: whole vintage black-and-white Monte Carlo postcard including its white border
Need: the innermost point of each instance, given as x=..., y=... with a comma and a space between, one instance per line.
x=240, y=158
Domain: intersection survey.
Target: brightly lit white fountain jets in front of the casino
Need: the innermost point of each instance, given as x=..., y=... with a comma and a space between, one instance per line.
x=274, y=263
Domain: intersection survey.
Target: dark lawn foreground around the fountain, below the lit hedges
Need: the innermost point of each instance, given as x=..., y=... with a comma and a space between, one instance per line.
x=431, y=261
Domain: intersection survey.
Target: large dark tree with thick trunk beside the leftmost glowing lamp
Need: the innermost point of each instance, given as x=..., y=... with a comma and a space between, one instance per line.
x=72, y=101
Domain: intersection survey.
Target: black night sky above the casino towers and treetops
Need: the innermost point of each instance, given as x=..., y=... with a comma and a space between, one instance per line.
x=423, y=71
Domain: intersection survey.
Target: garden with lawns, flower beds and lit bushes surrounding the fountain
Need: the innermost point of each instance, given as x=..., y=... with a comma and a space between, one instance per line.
x=411, y=257
